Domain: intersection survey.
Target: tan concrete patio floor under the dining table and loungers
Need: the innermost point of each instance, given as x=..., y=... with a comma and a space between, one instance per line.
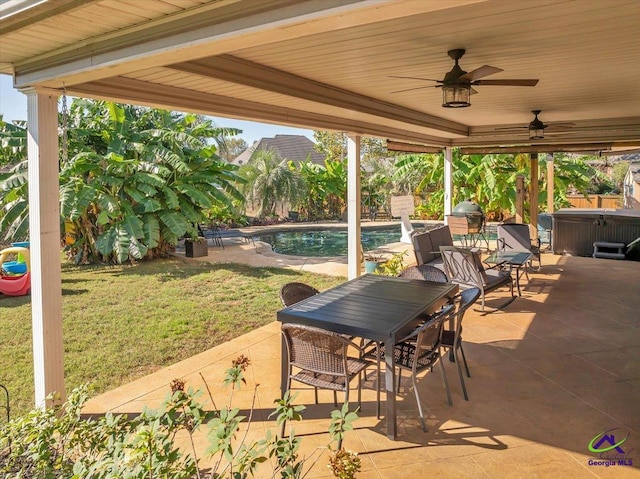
x=557, y=367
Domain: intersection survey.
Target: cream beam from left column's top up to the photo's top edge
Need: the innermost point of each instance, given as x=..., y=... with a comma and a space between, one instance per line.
x=199, y=35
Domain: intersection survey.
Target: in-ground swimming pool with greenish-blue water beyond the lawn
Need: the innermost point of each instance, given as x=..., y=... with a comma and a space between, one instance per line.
x=327, y=242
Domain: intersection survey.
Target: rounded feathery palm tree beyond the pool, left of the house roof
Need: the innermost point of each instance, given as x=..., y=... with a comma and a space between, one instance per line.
x=269, y=180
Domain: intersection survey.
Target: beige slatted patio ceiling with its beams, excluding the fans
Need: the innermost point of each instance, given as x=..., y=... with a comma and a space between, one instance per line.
x=327, y=64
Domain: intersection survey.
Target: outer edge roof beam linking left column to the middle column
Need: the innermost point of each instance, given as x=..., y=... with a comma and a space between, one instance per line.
x=138, y=92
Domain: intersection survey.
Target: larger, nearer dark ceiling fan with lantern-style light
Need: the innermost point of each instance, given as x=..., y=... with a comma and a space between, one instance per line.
x=457, y=84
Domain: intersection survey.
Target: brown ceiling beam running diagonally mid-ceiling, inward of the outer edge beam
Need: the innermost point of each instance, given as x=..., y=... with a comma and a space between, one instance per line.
x=244, y=72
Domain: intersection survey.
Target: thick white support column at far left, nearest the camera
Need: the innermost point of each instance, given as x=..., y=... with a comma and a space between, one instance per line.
x=44, y=238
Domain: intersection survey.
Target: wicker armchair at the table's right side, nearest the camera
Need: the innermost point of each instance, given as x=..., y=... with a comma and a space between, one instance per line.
x=420, y=351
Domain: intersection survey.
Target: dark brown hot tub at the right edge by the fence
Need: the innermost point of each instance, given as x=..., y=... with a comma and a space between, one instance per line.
x=576, y=229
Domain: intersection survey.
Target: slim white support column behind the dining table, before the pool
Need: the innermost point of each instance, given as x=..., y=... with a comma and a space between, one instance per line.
x=353, y=206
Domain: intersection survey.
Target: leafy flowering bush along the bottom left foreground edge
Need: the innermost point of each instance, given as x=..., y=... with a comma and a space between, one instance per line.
x=59, y=442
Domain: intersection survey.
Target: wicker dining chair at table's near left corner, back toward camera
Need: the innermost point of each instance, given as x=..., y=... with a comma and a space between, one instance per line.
x=322, y=359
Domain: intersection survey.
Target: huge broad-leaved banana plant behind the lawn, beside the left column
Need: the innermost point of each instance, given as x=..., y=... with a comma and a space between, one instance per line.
x=135, y=181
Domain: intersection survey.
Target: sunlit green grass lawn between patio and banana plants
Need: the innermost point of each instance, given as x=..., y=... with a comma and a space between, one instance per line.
x=123, y=322
